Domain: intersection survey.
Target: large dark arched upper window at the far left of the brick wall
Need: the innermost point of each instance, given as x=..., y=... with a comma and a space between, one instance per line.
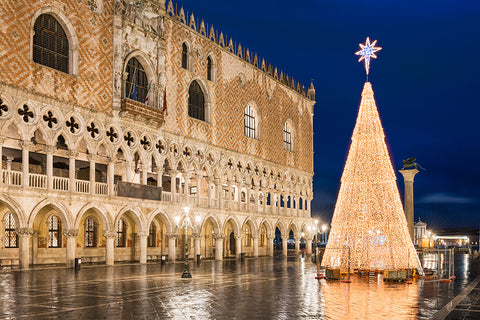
x=50, y=43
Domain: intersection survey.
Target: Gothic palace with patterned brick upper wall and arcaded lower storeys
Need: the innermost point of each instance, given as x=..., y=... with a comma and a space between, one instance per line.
x=115, y=115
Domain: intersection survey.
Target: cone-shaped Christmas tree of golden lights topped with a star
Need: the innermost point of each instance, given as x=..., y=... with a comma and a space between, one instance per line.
x=369, y=229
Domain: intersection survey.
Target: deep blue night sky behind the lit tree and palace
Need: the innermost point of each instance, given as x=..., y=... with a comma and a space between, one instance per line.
x=426, y=84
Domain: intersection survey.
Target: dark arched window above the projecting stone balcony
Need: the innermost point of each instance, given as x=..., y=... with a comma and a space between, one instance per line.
x=136, y=85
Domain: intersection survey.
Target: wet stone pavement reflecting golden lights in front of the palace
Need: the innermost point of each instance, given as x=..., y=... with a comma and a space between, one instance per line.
x=264, y=288
